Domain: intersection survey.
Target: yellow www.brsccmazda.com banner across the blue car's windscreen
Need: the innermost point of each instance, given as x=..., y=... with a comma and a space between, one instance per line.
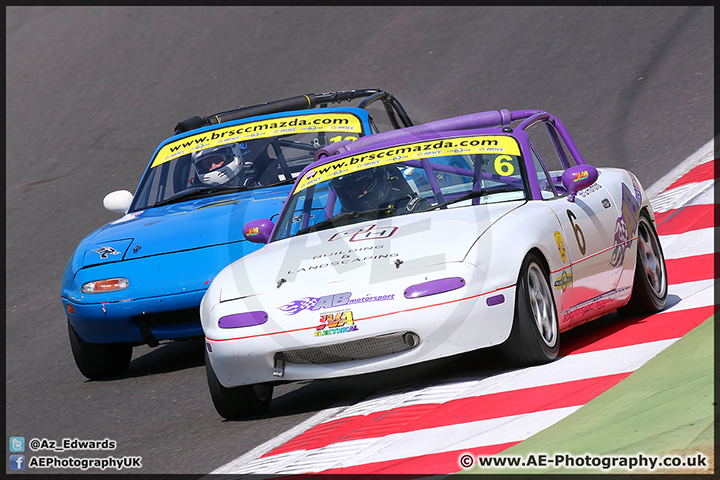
x=273, y=127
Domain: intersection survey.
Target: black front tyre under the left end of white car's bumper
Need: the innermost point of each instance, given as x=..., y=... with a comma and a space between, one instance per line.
x=237, y=402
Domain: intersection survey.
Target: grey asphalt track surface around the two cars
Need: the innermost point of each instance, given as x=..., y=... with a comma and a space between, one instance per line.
x=91, y=92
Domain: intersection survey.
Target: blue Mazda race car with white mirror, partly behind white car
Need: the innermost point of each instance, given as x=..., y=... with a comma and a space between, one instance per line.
x=140, y=279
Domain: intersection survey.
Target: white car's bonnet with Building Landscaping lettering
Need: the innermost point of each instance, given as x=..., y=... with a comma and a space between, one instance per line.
x=363, y=252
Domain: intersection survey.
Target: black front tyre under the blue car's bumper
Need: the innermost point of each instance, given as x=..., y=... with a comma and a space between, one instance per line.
x=99, y=360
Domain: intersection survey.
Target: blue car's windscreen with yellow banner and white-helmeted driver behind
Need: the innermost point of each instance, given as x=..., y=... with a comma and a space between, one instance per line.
x=242, y=155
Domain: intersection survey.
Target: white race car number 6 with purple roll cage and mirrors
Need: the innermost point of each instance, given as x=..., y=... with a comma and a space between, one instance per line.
x=426, y=242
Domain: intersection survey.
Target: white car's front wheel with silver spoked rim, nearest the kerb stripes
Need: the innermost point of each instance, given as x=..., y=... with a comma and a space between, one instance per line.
x=534, y=338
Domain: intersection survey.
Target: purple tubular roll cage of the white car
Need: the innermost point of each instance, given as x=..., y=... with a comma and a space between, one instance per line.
x=483, y=120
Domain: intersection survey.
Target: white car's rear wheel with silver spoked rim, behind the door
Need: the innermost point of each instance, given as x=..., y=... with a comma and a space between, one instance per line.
x=649, y=294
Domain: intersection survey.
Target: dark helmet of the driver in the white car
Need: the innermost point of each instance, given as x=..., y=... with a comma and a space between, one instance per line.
x=363, y=190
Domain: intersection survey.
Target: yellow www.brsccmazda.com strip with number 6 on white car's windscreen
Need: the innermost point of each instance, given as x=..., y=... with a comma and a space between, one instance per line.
x=506, y=147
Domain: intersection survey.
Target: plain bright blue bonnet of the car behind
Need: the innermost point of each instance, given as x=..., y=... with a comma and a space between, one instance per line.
x=183, y=226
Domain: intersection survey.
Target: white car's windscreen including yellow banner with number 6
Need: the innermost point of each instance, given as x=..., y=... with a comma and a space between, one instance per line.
x=405, y=179
